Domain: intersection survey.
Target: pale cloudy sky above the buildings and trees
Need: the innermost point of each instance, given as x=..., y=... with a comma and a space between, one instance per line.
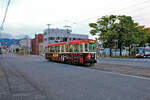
x=29, y=17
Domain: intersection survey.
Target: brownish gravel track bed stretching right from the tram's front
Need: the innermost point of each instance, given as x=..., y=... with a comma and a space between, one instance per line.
x=123, y=69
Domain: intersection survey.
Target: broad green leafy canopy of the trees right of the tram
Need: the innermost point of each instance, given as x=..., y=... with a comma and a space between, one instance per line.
x=118, y=28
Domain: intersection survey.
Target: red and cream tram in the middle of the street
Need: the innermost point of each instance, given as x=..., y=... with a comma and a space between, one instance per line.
x=73, y=52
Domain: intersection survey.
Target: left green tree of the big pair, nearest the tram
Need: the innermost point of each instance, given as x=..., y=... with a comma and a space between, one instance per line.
x=104, y=27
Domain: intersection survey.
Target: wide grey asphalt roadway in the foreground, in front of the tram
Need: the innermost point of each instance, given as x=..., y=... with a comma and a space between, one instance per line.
x=58, y=81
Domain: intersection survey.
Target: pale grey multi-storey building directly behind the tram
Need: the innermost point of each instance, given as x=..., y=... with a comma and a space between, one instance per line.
x=59, y=35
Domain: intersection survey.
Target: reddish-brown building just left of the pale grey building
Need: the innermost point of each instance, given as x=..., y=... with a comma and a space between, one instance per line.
x=36, y=44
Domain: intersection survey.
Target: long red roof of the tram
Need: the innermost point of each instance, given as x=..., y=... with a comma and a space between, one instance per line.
x=71, y=42
